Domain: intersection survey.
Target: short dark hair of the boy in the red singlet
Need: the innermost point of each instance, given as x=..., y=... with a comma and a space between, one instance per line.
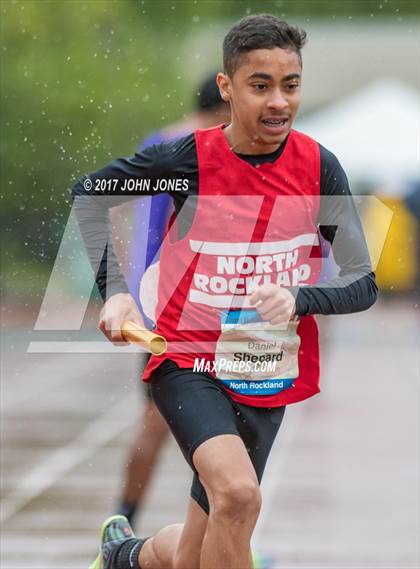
x=260, y=31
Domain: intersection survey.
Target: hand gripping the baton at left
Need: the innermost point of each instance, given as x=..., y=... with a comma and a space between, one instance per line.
x=116, y=309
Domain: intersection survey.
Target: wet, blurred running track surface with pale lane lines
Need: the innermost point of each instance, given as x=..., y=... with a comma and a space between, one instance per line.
x=340, y=491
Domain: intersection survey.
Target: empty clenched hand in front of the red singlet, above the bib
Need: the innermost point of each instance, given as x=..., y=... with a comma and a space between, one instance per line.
x=274, y=303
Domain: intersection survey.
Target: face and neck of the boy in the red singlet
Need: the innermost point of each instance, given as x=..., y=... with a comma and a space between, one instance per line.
x=264, y=94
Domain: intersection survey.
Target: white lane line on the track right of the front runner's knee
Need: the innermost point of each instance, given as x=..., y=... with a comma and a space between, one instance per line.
x=273, y=476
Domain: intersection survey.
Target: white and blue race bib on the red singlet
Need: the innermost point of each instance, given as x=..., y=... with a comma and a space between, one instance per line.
x=253, y=357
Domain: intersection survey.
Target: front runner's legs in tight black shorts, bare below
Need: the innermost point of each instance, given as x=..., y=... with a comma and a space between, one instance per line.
x=207, y=424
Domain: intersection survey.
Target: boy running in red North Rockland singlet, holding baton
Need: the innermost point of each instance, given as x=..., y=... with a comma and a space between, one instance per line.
x=246, y=238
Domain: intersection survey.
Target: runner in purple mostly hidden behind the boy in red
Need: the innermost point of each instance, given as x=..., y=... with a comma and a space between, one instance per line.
x=152, y=429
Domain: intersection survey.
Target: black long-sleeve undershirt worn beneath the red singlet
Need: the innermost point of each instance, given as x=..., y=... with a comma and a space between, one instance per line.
x=352, y=291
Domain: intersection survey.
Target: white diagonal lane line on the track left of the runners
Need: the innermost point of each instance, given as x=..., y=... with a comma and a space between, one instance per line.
x=96, y=435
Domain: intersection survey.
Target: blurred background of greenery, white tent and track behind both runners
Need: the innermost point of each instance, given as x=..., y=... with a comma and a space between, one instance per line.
x=83, y=82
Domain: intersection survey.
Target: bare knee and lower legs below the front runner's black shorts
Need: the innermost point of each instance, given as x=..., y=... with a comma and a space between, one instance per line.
x=223, y=539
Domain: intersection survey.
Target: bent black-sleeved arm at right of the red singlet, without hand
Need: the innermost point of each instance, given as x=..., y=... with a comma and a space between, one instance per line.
x=354, y=289
